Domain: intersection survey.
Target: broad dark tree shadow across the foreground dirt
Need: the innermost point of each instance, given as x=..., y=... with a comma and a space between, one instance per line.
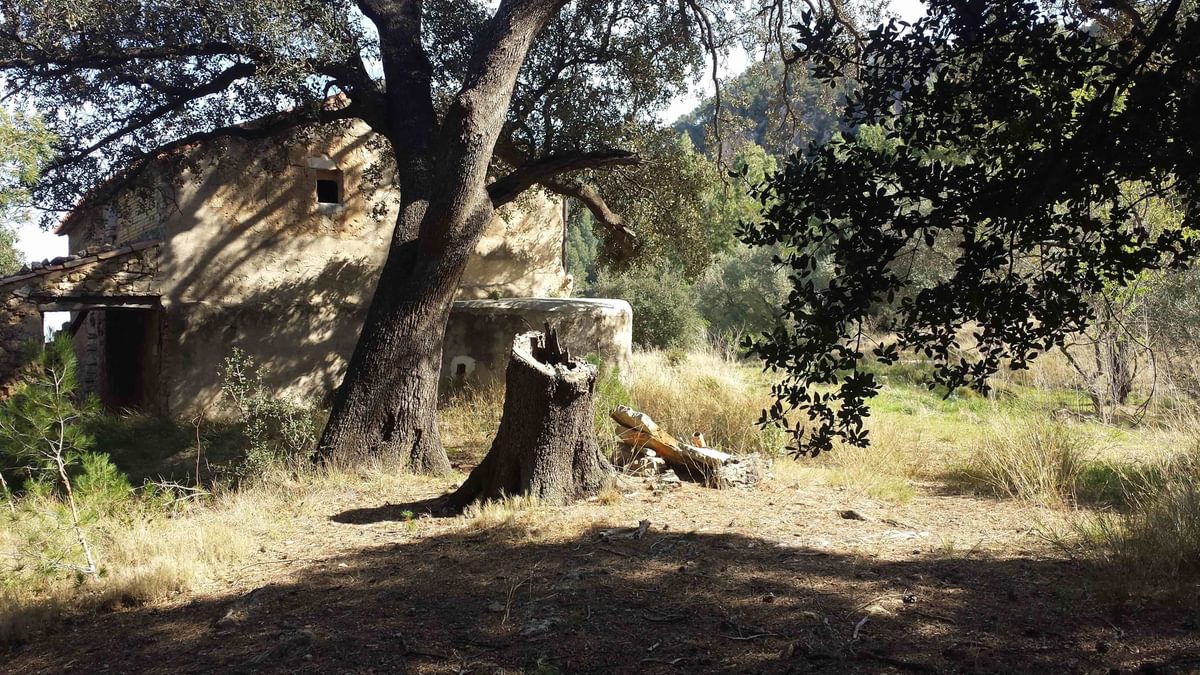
x=506, y=600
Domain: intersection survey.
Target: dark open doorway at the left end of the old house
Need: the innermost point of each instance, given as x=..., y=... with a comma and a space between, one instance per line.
x=131, y=361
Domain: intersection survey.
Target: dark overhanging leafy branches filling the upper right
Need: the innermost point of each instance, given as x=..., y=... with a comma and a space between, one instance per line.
x=1022, y=140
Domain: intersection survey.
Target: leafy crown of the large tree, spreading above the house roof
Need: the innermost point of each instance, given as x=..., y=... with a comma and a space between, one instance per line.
x=124, y=81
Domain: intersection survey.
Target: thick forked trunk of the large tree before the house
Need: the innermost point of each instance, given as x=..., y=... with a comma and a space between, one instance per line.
x=388, y=399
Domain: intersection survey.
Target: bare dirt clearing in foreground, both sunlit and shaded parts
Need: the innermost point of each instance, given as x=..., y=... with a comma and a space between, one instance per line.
x=784, y=578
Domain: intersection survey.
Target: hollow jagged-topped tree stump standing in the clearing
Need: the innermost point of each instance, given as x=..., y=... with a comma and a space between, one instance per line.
x=547, y=444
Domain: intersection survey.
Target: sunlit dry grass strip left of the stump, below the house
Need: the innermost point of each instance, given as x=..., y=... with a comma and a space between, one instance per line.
x=152, y=549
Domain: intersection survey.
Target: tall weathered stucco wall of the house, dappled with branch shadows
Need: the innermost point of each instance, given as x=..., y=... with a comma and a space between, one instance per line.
x=253, y=260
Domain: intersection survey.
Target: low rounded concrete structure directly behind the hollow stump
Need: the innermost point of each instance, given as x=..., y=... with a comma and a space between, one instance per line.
x=479, y=336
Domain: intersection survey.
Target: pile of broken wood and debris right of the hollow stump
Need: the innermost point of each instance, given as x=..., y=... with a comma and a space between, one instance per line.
x=647, y=450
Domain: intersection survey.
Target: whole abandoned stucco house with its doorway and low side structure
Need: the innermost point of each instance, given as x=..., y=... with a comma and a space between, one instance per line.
x=274, y=247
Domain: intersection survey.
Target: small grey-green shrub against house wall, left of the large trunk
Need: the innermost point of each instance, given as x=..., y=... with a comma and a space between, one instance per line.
x=280, y=433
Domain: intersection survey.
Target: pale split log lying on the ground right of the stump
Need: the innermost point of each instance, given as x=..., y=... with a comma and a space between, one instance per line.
x=710, y=465
